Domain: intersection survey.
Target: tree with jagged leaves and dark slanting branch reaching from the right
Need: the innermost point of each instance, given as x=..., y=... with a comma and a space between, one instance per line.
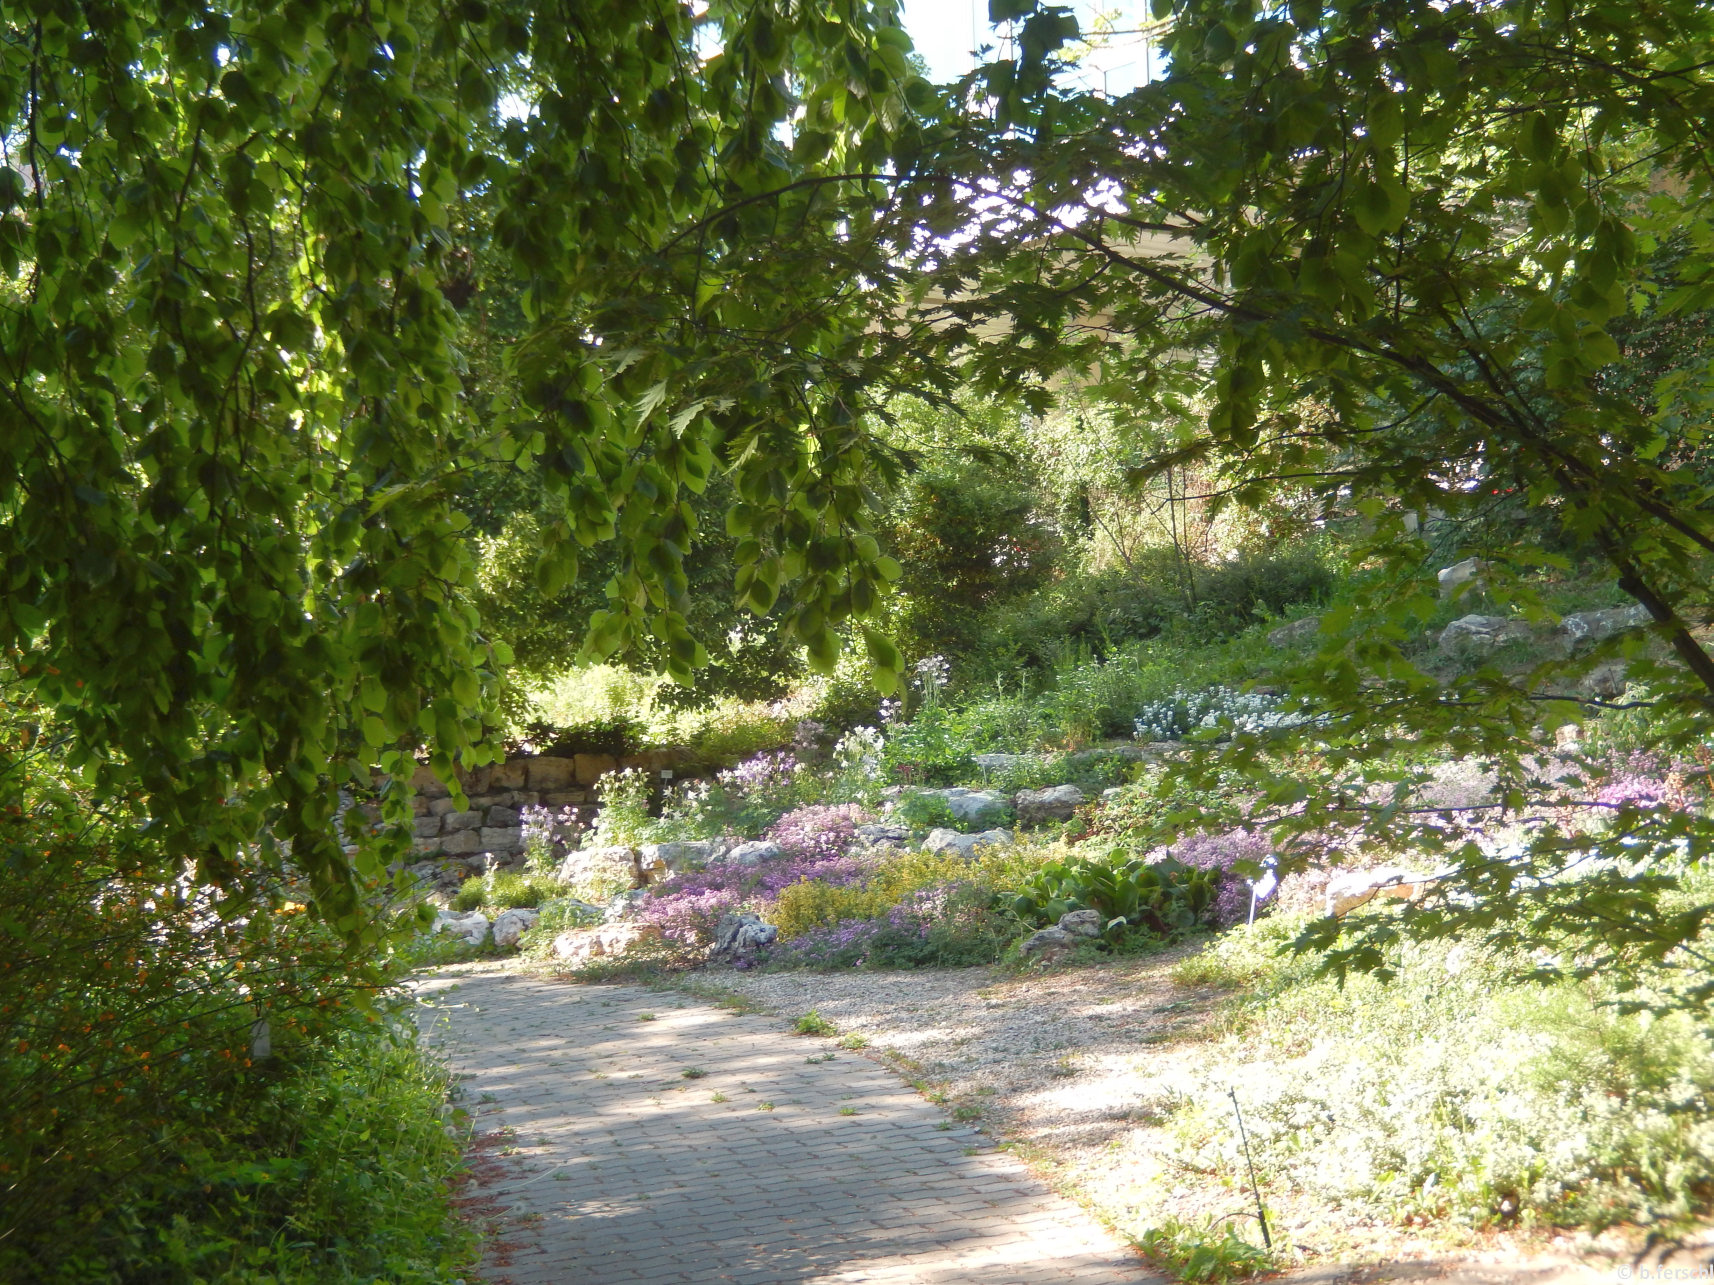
x=1386, y=246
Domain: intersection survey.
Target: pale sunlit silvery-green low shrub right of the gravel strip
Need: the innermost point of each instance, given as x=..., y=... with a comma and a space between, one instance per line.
x=1453, y=1092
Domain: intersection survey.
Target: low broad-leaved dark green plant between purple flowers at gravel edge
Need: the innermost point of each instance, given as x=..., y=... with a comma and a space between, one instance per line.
x=1166, y=899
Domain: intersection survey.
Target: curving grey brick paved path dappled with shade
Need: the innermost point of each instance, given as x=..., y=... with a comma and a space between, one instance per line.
x=769, y=1168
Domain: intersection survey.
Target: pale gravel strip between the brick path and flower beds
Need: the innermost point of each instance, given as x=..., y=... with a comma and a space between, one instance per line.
x=1079, y=1070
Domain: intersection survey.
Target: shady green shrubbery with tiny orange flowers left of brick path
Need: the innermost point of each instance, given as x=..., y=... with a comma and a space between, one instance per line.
x=148, y=1137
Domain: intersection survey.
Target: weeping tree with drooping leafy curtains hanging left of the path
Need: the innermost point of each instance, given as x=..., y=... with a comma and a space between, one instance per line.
x=236, y=424
